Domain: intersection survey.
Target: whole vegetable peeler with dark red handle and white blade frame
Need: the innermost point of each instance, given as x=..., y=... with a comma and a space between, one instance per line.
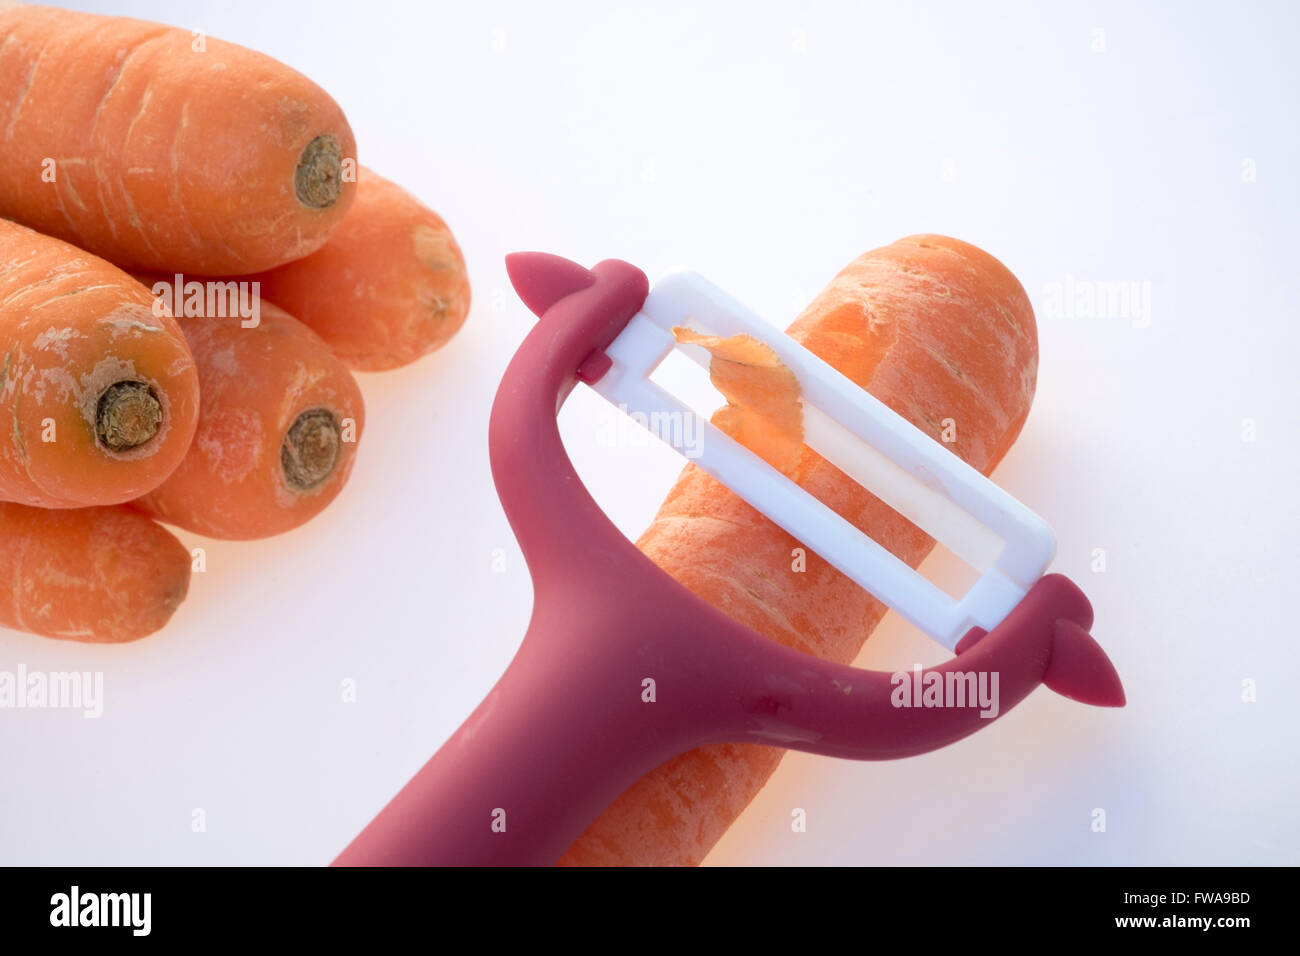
x=566, y=730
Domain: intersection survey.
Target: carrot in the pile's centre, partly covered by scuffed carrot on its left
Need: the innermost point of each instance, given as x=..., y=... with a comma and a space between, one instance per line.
x=278, y=434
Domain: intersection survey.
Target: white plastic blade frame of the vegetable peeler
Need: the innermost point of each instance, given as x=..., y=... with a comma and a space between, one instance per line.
x=908, y=470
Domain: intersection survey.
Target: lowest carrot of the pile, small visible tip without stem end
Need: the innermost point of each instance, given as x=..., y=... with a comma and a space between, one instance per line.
x=97, y=574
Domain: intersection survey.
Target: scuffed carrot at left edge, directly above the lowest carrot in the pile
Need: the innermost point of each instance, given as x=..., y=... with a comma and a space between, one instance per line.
x=99, y=395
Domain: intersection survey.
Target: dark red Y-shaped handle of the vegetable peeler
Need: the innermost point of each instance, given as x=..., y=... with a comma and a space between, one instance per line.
x=567, y=730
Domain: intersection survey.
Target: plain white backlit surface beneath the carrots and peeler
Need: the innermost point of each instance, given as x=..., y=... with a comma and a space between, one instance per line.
x=768, y=146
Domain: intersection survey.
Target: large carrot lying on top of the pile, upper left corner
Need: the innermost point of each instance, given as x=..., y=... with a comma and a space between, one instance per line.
x=161, y=149
